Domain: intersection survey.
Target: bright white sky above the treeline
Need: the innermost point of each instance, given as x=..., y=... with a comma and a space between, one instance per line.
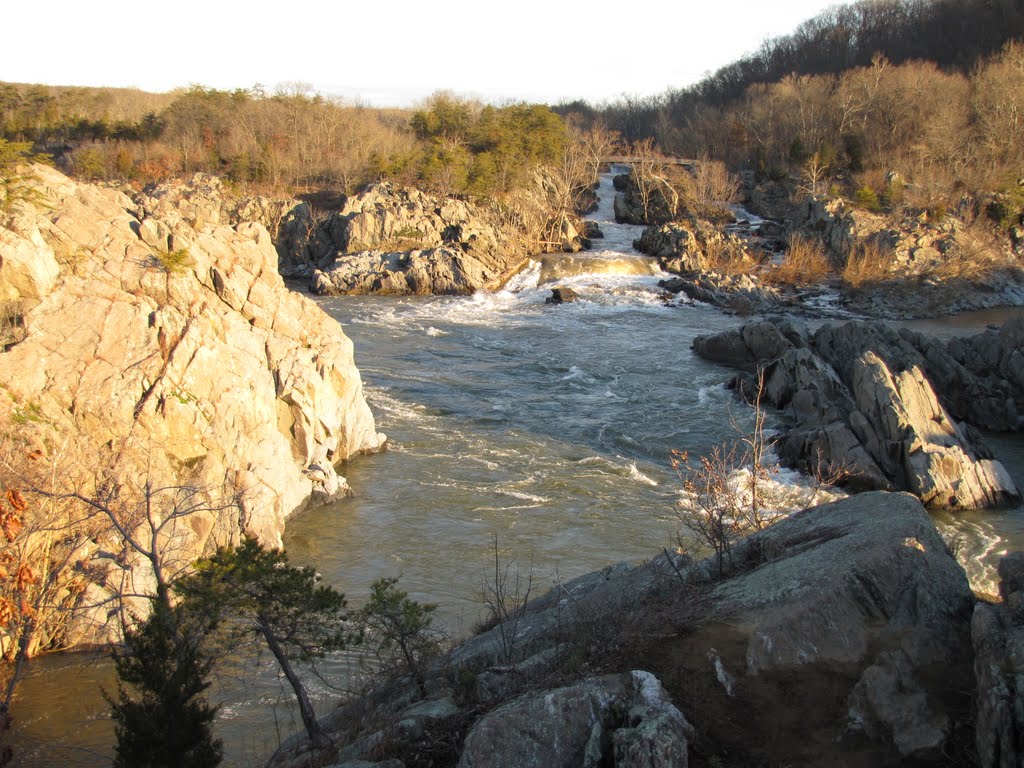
x=393, y=54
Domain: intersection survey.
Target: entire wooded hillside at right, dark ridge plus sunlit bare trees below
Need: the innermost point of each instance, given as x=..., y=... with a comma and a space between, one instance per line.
x=891, y=104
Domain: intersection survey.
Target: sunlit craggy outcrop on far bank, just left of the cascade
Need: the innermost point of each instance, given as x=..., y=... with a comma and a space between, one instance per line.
x=392, y=241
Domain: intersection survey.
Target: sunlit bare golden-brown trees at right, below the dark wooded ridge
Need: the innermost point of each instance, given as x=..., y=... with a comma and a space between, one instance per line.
x=945, y=134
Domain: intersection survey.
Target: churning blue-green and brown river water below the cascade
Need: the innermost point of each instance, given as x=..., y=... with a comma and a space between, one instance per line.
x=547, y=426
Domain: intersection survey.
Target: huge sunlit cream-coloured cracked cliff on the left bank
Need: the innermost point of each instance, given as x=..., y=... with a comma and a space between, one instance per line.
x=173, y=346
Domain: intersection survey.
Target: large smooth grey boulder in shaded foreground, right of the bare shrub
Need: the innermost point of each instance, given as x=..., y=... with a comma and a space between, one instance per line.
x=867, y=588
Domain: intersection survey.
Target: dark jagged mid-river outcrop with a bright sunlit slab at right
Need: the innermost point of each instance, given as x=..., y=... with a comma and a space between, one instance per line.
x=860, y=401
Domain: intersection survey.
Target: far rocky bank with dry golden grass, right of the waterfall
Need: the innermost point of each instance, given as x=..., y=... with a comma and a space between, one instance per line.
x=903, y=265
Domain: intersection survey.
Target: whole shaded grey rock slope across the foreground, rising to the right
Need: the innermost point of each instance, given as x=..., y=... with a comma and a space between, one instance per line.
x=805, y=651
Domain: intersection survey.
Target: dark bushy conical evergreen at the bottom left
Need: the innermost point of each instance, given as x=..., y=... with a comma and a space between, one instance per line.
x=162, y=719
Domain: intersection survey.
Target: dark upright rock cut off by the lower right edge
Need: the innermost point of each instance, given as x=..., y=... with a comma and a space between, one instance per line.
x=998, y=632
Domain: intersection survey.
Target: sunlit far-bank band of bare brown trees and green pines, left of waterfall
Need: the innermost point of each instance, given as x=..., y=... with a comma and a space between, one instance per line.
x=293, y=139
